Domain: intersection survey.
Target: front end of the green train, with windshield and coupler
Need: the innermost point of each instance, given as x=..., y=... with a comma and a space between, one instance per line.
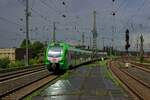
x=54, y=58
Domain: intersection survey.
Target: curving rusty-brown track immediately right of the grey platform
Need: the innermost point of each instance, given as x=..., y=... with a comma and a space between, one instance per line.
x=134, y=84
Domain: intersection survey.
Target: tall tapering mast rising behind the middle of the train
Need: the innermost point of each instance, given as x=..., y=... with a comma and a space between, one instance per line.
x=94, y=31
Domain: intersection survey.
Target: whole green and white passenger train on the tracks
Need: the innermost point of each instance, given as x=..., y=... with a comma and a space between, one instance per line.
x=61, y=56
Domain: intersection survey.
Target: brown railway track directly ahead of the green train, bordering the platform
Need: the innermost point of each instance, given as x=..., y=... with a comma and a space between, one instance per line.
x=28, y=89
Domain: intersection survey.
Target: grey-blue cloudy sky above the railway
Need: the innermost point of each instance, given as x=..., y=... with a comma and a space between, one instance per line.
x=129, y=14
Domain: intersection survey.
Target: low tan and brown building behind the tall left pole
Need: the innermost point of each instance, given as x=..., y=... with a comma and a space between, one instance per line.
x=14, y=53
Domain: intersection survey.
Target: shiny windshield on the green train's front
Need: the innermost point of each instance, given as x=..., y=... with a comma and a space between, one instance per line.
x=55, y=52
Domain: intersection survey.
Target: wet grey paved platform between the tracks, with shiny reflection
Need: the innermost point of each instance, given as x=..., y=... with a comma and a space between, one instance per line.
x=88, y=82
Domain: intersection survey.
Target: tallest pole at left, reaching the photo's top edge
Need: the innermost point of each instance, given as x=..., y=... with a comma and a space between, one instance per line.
x=27, y=32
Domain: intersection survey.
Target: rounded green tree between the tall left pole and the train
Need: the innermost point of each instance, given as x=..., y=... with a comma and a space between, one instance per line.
x=37, y=47
